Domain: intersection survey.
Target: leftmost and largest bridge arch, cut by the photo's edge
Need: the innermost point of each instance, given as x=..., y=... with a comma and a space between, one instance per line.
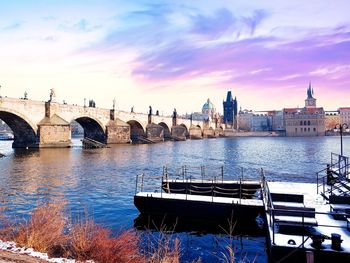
x=25, y=132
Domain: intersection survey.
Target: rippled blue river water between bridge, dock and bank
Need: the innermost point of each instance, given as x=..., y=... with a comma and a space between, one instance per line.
x=102, y=181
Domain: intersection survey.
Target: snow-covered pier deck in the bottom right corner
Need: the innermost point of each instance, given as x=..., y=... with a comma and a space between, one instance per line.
x=293, y=237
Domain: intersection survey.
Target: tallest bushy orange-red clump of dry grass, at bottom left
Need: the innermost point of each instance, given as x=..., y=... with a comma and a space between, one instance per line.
x=44, y=231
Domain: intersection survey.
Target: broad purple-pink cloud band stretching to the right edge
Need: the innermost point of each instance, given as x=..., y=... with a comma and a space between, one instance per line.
x=254, y=61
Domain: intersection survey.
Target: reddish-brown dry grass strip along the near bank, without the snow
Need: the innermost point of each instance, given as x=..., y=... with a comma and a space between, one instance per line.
x=46, y=231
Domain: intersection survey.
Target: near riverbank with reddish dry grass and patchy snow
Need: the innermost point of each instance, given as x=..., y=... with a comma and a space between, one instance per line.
x=49, y=237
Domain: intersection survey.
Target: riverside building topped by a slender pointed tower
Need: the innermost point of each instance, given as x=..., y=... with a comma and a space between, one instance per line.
x=307, y=121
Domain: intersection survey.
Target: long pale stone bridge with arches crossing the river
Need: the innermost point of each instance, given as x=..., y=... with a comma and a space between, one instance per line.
x=47, y=124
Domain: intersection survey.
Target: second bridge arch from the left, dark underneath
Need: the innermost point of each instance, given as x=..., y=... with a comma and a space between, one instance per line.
x=93, y=128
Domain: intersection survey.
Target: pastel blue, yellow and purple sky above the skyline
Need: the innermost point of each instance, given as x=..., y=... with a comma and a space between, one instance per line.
x=176, y=54
